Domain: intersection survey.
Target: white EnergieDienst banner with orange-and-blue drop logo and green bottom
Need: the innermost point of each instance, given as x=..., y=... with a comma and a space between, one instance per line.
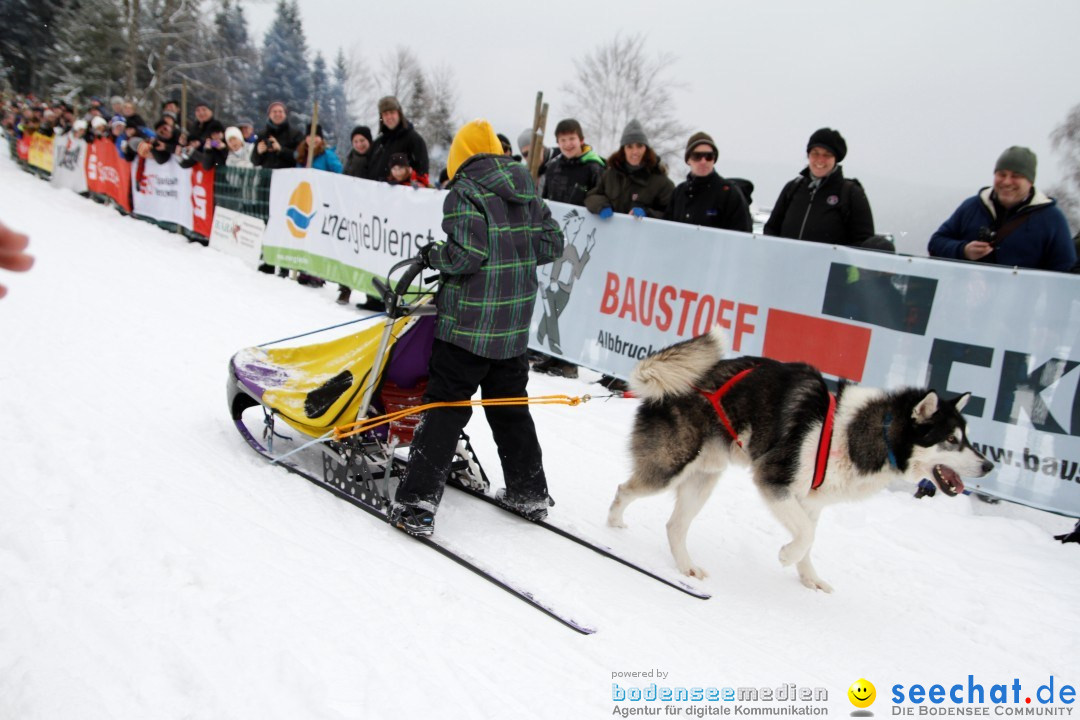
x=347, y=230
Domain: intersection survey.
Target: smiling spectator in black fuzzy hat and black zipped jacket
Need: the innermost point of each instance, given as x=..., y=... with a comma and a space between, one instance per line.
x=820, y=206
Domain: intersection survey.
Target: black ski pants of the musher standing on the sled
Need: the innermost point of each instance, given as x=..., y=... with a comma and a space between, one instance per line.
x=454, y=375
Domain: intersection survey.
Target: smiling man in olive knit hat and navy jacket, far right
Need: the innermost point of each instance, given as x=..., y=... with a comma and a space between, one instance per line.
x=1009, y=224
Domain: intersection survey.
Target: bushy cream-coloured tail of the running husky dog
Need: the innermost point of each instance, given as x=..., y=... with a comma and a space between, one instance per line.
x=677, y=370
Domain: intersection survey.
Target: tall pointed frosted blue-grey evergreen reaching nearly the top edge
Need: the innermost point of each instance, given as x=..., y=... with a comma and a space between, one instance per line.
x=285, y=75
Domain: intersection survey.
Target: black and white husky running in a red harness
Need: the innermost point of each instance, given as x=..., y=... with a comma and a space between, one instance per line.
x=776, y=414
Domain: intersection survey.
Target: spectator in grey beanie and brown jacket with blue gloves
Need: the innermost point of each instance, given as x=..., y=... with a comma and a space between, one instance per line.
x=634, y=183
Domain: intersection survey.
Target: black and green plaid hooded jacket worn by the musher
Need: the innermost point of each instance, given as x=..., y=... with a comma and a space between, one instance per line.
x=498, y=232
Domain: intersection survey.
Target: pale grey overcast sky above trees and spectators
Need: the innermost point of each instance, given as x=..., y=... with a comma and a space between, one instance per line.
x=925, y=92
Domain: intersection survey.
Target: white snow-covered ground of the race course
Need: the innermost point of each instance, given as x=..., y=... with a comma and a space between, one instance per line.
x=153, y=566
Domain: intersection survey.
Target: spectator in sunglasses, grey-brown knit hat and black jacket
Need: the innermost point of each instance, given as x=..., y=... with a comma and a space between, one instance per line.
x=706, y=198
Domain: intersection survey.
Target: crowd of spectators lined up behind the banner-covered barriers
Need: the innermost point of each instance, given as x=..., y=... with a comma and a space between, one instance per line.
x=1008, y=223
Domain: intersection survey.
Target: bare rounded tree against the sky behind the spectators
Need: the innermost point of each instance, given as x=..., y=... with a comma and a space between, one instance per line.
x=620, y=81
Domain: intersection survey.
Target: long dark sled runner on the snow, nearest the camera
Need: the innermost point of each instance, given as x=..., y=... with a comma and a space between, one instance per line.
x=363, y=494
